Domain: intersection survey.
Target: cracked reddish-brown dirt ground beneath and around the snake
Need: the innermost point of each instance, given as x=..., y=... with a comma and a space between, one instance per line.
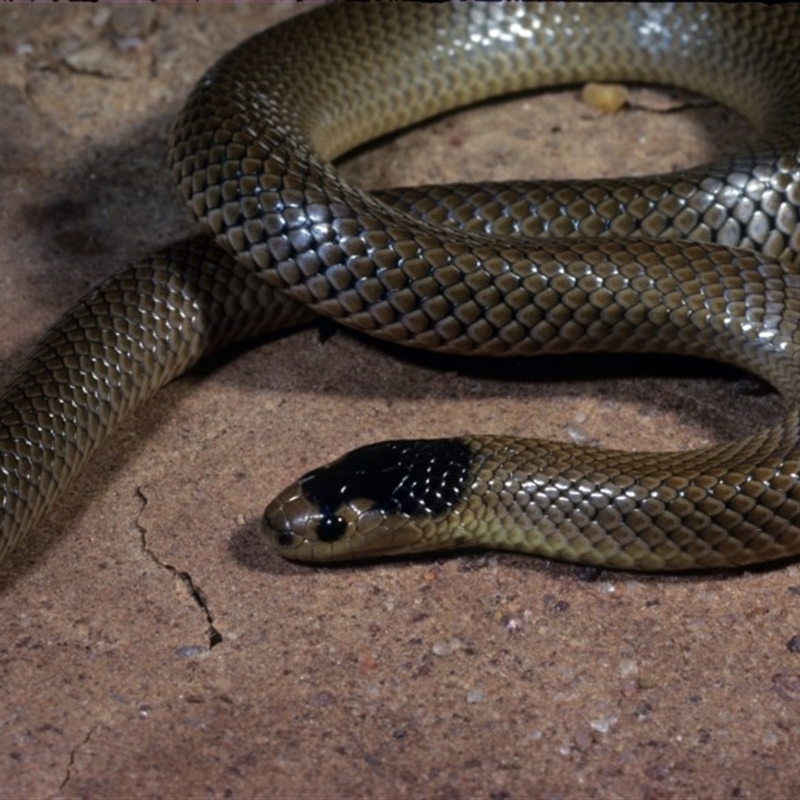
x=153, y=647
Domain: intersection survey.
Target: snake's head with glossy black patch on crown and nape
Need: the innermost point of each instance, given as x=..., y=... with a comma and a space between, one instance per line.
x=383, y=499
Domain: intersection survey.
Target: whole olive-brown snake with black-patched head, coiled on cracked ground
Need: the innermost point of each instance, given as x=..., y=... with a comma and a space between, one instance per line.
x=701, y=262
